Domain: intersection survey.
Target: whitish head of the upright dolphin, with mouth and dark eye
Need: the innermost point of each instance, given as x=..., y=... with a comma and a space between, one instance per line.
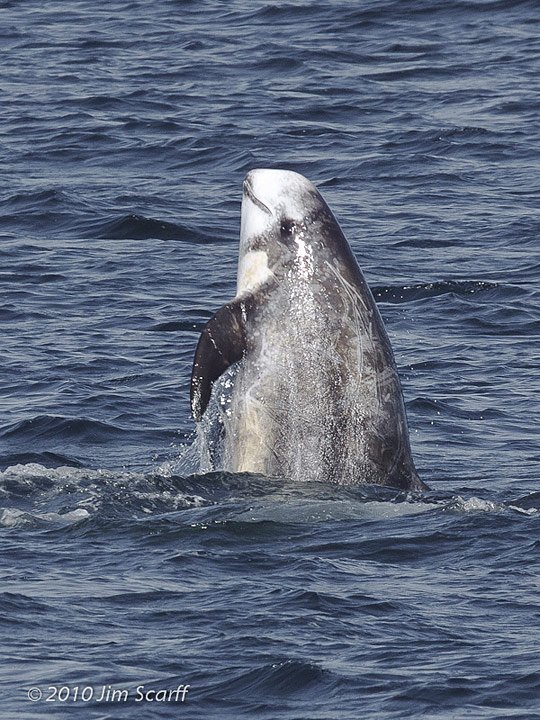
x=283, y=225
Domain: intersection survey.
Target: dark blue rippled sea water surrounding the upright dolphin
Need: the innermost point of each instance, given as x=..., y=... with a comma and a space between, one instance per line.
x=126, y=129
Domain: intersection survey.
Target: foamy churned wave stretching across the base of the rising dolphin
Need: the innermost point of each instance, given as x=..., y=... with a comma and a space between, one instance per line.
x=162, y=501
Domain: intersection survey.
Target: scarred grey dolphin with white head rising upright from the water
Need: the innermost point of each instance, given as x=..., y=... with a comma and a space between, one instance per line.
x=315, y=393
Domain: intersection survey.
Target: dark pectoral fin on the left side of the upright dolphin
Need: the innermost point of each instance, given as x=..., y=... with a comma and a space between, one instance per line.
x=222, y=343
